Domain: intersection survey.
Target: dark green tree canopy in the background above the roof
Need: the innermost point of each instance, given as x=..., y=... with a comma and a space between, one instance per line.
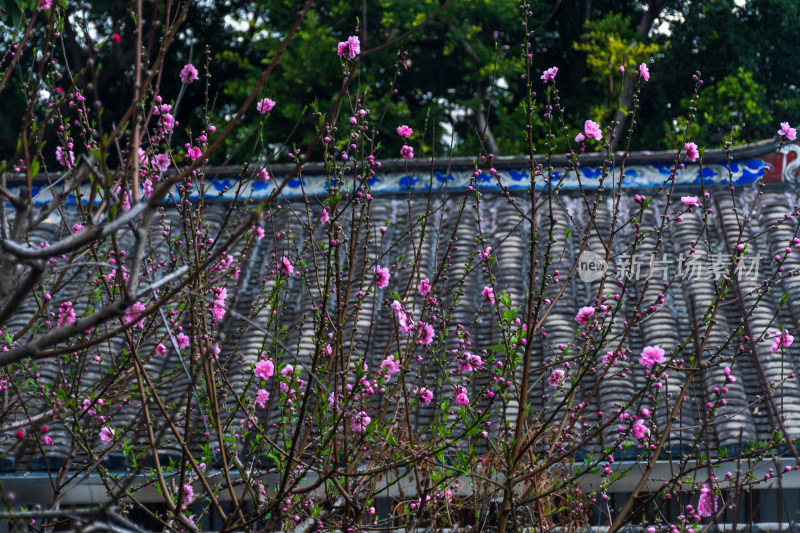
x=451, y=69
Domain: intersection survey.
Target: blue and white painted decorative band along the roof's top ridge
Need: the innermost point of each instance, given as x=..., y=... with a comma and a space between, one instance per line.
x=643, y=170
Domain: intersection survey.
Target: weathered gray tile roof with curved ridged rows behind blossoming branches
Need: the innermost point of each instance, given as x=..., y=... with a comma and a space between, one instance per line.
x=250, y=327
